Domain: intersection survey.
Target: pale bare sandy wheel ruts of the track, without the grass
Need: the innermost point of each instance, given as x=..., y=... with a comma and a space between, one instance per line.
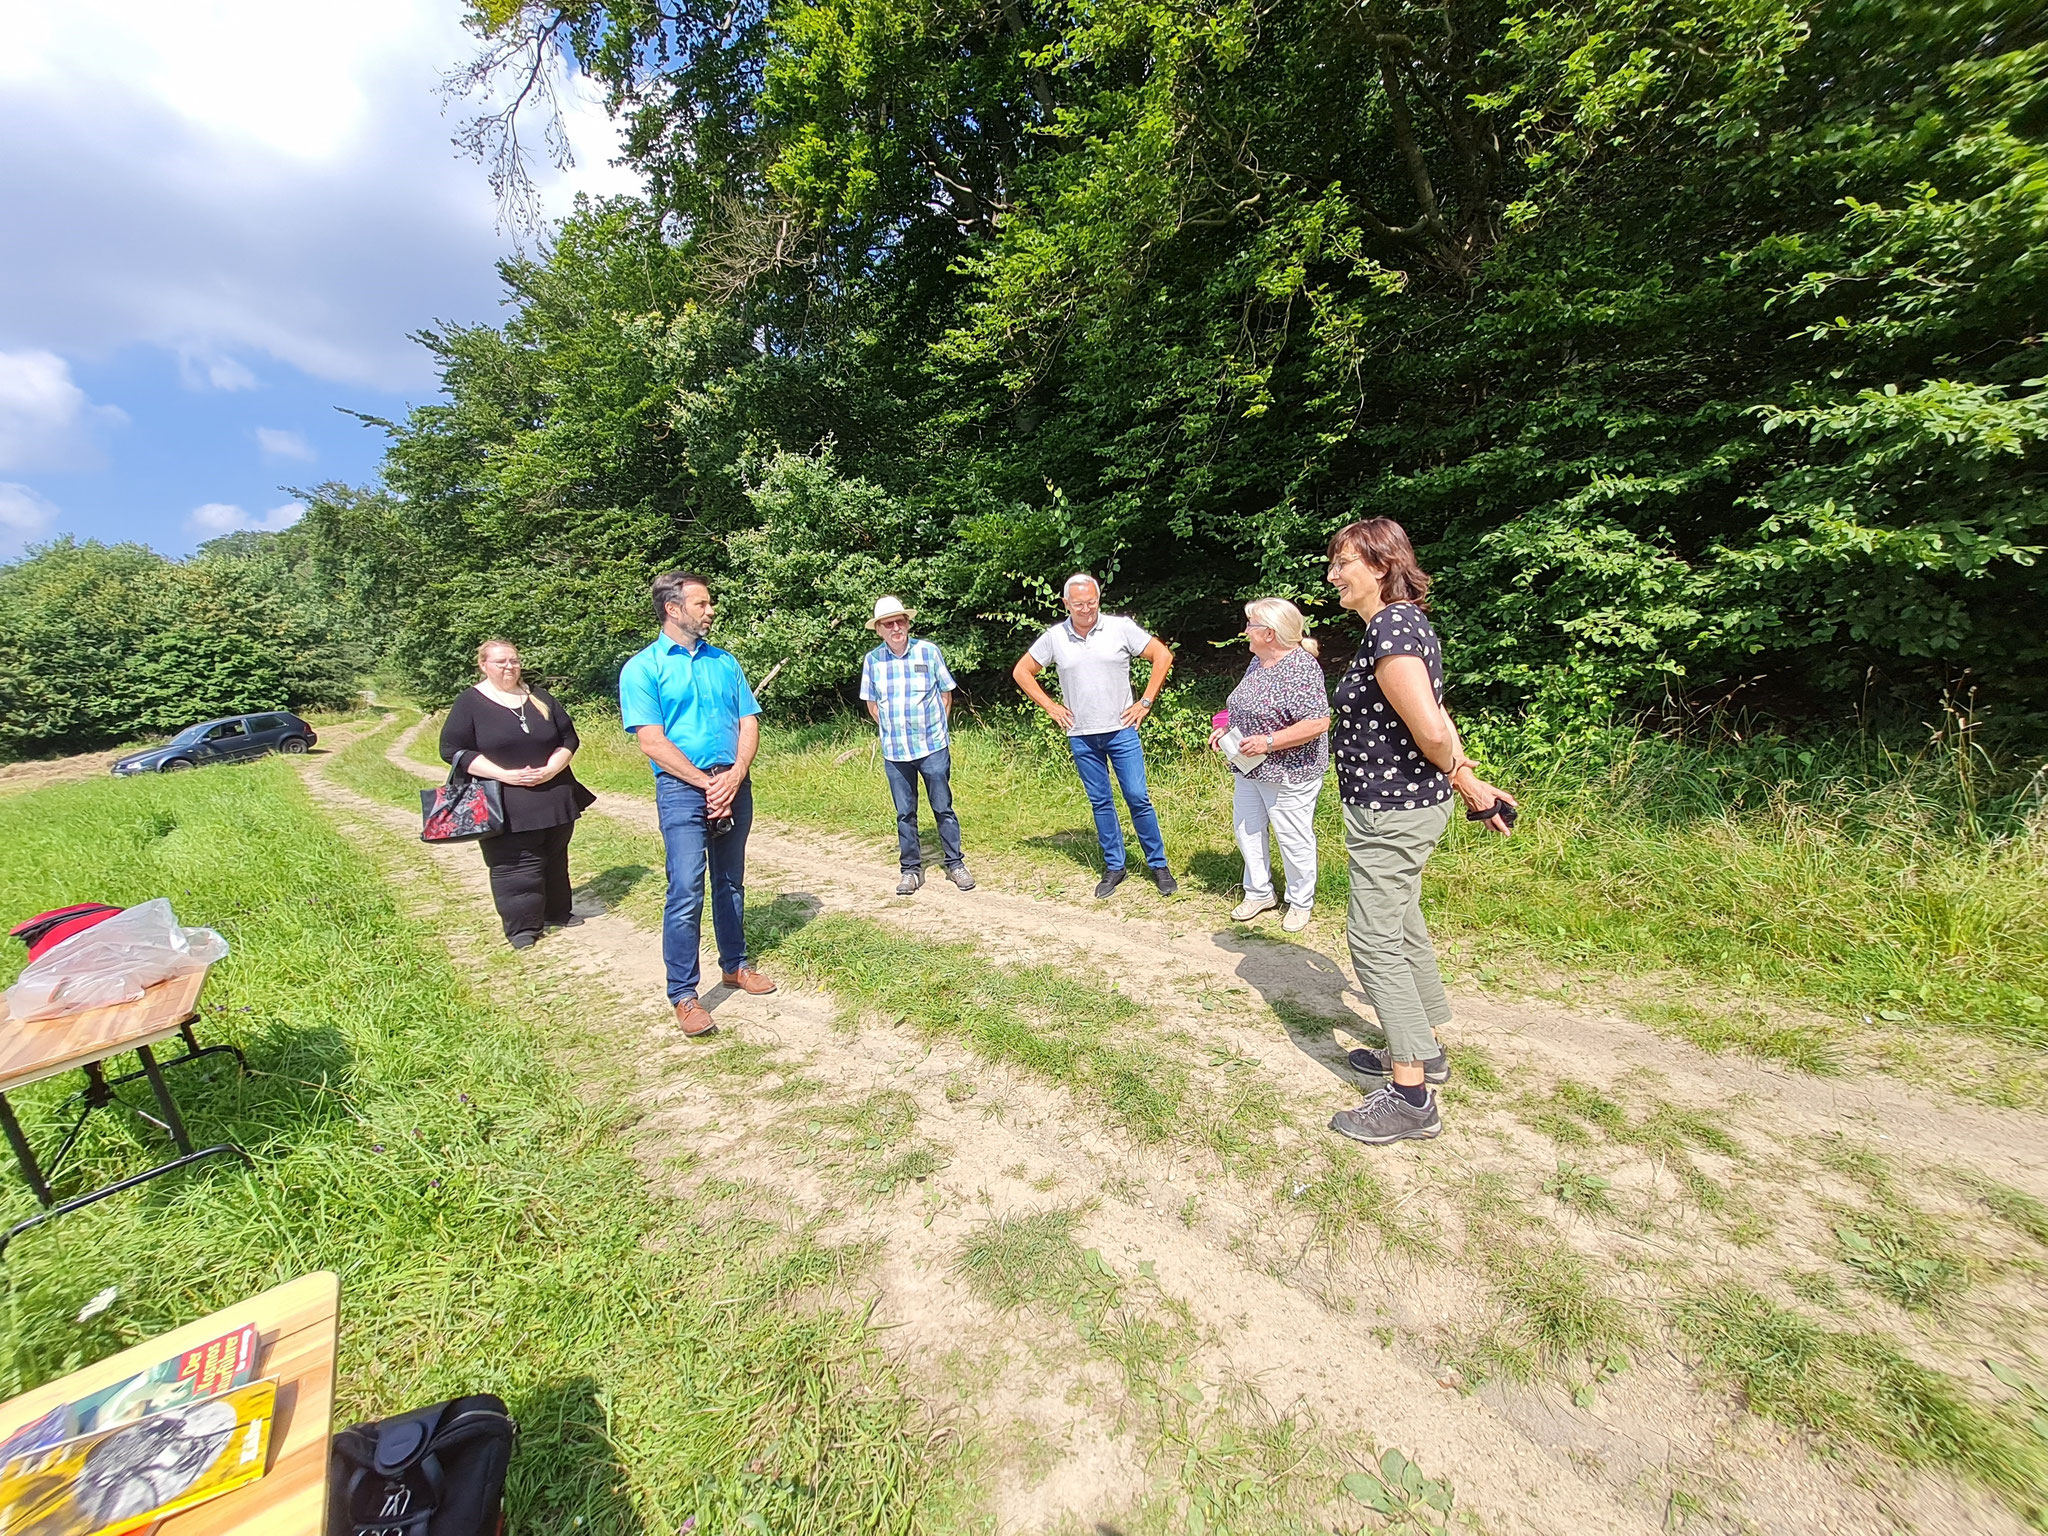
x=1308, y=1334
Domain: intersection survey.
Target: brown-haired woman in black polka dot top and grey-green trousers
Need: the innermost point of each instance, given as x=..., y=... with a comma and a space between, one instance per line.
x=1400, y=763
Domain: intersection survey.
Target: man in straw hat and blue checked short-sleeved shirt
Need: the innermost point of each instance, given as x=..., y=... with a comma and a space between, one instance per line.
x=908, y=693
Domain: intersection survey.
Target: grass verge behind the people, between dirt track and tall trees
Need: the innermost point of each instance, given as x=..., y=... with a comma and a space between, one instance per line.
x=1756, y=896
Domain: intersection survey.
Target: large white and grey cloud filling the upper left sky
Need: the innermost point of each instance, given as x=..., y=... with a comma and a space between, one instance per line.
x=241, y=181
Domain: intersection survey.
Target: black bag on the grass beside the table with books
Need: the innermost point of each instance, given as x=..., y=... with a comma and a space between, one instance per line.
x=437, y=1471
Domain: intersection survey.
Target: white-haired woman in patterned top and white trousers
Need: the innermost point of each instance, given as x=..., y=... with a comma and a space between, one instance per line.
x=1281, y=714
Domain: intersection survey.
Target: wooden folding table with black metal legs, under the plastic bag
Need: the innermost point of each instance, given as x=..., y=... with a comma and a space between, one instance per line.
x=40, y=1050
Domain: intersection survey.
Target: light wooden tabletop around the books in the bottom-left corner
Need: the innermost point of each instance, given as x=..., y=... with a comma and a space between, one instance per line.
x=298, y=1326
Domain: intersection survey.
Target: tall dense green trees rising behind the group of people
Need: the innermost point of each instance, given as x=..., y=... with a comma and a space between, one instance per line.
x=1697, y=343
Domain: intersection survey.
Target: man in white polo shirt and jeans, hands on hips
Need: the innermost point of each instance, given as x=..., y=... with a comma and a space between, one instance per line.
x=1093, y=652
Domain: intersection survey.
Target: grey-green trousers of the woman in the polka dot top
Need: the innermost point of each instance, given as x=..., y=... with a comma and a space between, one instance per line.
x=1392, y=949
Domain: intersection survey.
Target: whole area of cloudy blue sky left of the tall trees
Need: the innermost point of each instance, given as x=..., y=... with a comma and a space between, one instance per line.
x=220, y=222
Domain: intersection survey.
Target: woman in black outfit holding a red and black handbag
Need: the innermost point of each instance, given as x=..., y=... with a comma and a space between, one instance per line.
x=521, y=736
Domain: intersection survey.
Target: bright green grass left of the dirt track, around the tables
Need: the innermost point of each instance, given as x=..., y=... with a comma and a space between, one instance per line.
x=417, y=1132
